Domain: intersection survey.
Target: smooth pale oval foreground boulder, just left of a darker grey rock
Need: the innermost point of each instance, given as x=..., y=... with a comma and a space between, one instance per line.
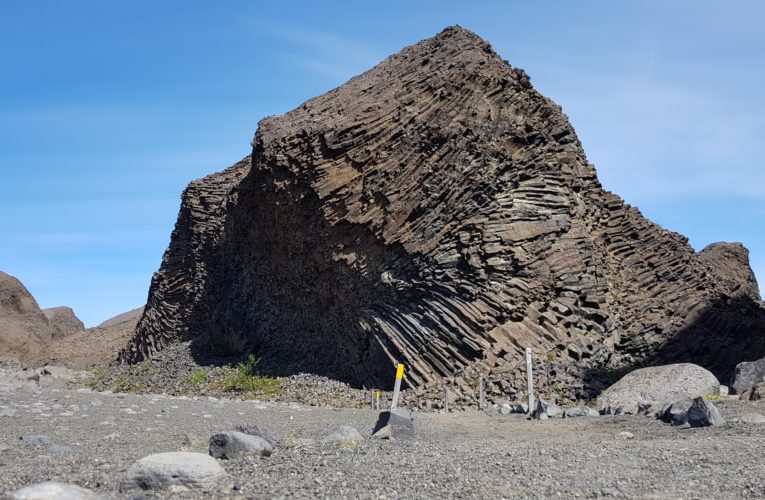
x=176, y=469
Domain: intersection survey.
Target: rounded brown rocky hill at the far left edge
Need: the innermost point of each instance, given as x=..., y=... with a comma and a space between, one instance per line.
x=24, y=329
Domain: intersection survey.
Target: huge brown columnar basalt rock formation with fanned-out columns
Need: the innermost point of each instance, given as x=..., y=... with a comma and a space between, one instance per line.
x=436, y=211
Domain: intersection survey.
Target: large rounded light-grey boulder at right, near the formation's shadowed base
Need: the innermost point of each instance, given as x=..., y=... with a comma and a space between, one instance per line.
x=657, y=386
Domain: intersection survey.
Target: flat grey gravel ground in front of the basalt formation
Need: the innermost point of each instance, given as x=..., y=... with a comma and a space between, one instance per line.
x=466, y=454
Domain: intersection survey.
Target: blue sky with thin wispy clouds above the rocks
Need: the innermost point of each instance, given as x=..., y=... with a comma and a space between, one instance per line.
x=108, y=109
